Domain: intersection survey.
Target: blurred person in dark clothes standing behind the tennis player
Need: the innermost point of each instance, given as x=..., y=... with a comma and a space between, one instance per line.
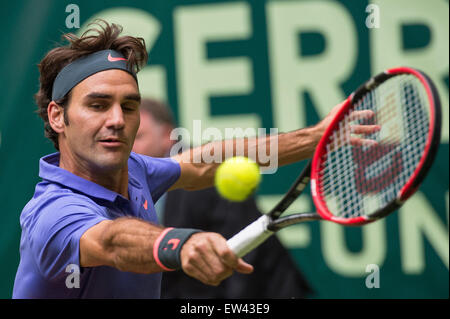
x=206, y=210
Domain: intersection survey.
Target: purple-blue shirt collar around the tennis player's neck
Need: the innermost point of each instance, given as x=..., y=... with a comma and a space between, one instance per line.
x=49, y=170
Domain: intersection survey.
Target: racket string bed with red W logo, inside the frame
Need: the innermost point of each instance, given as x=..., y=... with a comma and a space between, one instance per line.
x=358, y=180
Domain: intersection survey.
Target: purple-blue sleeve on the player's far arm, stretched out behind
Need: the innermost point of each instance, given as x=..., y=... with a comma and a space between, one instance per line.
x=160, y=173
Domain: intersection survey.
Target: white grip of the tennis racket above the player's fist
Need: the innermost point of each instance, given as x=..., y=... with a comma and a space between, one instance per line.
x=251, y=236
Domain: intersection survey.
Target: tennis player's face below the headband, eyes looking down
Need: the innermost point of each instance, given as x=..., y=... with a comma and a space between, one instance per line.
x=103, y=117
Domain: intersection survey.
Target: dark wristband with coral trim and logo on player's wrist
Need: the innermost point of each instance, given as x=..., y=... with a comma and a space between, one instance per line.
x=167, y=247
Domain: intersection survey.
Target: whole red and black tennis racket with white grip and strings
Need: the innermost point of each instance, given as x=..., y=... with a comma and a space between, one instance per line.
x=357, y=179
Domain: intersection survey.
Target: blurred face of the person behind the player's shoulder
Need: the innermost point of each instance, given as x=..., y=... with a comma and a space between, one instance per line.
x=153, y=137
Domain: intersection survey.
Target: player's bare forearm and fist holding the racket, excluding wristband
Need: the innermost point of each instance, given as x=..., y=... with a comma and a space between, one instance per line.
x=127, y=244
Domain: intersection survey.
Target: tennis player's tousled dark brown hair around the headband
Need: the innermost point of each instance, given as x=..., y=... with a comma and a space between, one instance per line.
x=106, y=36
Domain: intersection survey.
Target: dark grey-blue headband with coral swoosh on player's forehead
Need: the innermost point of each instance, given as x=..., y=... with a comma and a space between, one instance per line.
x=80, y=69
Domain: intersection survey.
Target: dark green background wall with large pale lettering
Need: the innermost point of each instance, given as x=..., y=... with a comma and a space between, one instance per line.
x=254, y=63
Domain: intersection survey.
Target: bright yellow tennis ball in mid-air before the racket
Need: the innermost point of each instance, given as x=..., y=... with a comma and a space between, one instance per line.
x=237, y=178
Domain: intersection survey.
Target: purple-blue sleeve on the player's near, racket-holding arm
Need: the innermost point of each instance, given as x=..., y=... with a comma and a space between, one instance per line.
x=55, y=234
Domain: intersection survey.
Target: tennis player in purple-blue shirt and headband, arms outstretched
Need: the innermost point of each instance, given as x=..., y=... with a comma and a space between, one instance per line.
x=94, y=208
